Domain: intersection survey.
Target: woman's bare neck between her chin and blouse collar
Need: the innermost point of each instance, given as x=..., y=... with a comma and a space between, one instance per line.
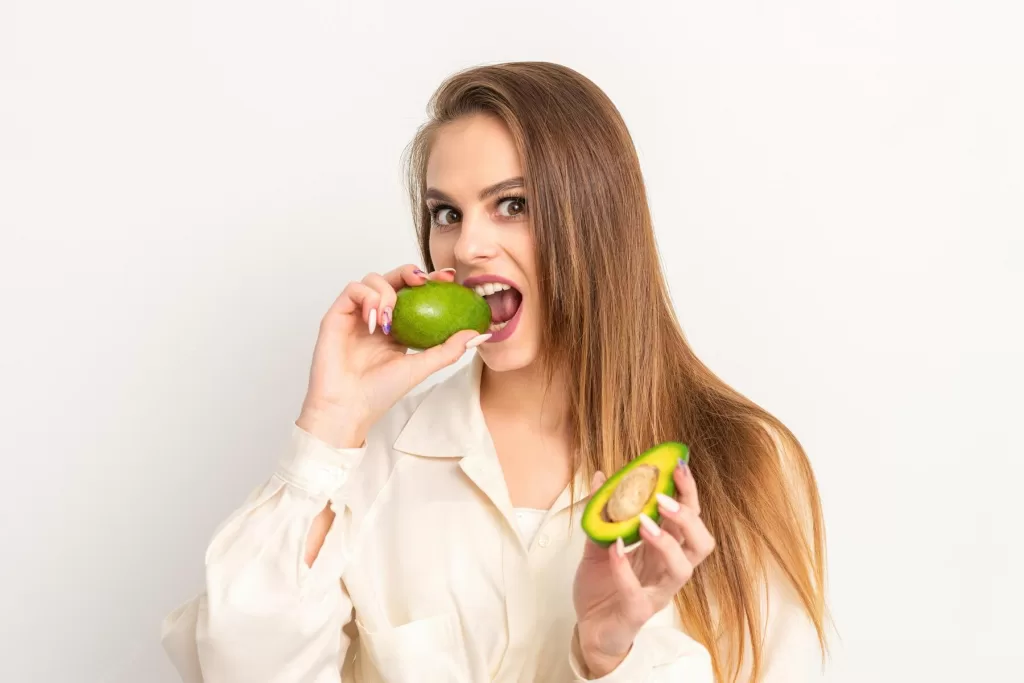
x=525, y=396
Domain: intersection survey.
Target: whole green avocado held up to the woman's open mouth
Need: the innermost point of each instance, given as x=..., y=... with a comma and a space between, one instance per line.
x=428, y=315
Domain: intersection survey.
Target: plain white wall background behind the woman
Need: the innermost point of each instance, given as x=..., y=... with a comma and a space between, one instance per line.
x=185, y=188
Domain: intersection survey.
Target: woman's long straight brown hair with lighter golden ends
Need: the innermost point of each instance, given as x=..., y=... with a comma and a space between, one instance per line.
x=635, y=381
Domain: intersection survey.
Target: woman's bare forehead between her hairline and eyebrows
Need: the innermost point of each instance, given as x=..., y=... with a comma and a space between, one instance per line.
x=471, y=154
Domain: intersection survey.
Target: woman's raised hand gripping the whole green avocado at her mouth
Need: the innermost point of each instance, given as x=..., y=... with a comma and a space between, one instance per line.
x=359, y=371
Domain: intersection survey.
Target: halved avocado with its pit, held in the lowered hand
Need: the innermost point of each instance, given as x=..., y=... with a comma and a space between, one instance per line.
x=614, y=510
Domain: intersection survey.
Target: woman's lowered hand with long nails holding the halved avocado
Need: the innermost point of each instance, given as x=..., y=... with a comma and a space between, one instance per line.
x=616, y=593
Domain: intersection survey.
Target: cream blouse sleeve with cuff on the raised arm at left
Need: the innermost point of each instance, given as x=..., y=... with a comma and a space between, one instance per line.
x=266, y=616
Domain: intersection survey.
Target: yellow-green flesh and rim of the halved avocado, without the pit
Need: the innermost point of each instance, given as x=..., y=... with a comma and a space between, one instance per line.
x=665, y=457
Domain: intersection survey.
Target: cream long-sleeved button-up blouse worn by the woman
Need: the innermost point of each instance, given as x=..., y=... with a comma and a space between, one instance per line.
x=428, y=573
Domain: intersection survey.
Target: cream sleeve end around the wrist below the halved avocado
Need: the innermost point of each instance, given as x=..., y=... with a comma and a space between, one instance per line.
x=662, y=653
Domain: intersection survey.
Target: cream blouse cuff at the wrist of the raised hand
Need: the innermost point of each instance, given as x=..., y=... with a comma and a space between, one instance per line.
x=314, y=466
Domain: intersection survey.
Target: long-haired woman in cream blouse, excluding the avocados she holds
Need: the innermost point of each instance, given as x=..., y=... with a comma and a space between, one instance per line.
x=436, y=537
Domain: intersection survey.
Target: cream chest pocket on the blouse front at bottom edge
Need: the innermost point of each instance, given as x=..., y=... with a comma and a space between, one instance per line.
x=428, y=651
